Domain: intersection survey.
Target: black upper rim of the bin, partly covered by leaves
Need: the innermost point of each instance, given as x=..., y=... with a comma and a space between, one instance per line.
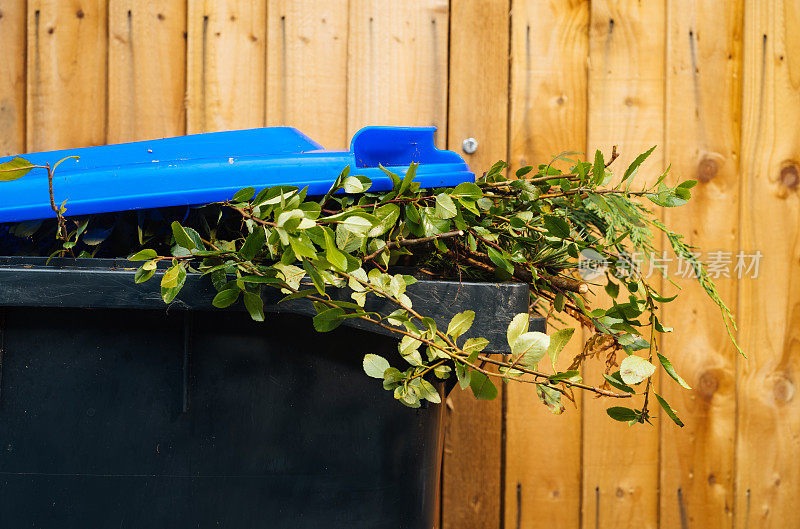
x=95, y=283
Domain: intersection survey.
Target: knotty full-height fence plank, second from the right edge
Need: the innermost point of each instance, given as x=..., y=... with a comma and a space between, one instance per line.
x=703, y=133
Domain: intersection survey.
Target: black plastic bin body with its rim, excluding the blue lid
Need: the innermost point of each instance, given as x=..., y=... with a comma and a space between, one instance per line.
x=116, y=411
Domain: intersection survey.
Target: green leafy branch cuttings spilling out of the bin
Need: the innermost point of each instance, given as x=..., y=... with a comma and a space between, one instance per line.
x=536, y=227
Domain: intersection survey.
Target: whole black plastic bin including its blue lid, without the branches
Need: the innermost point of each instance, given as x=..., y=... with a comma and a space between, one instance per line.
x=117, y=411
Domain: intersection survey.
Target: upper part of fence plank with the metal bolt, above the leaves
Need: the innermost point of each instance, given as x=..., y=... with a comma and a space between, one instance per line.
x=479, y=80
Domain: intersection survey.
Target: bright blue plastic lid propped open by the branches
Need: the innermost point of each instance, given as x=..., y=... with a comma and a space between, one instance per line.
x=211, y=167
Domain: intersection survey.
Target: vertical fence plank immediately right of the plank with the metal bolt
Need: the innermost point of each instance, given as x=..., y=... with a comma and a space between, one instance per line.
x=549, y=44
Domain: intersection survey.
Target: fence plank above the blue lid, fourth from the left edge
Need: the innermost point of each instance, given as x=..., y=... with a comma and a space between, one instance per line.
x=226, y=85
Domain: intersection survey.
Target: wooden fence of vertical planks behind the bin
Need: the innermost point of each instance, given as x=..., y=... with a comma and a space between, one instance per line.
x=716, y=84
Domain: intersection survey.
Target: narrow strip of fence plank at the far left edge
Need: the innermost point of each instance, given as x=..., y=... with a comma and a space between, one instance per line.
x=12, y=77
